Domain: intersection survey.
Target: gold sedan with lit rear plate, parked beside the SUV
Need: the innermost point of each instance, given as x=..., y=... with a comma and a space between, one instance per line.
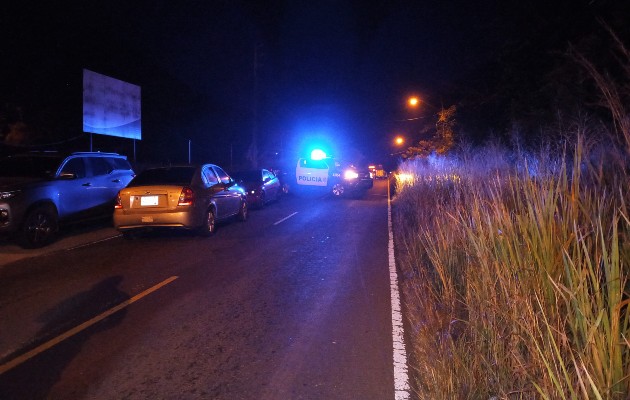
x=193, y=197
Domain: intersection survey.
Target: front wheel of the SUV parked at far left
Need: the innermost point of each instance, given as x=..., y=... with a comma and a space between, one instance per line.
x=40, y=227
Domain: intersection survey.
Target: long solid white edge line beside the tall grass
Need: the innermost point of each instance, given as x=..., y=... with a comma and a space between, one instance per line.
x=401, y=376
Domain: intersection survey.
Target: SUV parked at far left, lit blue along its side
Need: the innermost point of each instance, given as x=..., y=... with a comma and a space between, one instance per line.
x=40, y=191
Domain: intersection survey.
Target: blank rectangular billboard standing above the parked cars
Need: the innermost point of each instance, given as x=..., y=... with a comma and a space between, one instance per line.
x=110, y=106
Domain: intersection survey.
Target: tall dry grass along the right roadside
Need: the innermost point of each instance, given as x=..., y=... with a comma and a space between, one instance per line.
x=515, y=273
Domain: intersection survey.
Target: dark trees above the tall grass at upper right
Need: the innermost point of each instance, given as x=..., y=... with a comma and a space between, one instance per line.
x=539, y=80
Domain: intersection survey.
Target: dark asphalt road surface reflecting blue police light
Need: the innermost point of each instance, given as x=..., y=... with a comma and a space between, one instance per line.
x=292, y=304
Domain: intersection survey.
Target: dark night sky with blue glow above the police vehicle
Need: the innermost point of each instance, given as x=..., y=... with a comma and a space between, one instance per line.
x=216, y=72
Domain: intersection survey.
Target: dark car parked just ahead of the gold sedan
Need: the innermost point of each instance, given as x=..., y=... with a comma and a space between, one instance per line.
x=262, y=186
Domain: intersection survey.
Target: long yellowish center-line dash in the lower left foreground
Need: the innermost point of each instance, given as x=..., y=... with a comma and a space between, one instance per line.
x=53, y=342
